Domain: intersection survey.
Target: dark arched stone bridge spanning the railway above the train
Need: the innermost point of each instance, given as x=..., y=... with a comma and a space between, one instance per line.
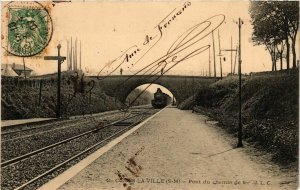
x=181, y=87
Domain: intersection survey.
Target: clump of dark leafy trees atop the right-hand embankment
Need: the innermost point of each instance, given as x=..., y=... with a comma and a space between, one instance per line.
x=275, y=23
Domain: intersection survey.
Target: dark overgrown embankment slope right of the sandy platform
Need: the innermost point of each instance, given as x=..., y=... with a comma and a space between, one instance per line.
x=270, y=107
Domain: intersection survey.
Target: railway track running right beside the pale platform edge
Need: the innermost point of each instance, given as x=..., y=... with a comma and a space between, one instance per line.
x=33, y=169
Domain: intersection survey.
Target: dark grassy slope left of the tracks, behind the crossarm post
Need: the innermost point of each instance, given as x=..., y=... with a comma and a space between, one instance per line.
x=23, y=103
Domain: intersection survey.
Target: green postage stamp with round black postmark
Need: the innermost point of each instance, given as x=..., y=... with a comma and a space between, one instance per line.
x=29, y=28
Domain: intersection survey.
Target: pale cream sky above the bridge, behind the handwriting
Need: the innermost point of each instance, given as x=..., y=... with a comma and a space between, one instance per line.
x=110, y=30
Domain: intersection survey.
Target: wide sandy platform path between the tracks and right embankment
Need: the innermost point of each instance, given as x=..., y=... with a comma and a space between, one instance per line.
x=181, y=150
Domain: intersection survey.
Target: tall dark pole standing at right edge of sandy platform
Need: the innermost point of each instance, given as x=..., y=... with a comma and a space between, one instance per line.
x=240, y=131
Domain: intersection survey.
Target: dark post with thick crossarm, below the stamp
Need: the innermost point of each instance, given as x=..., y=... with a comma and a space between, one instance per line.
x=60, y=60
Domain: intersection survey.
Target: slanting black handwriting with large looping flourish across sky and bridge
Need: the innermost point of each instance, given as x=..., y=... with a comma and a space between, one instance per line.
x=189, y=44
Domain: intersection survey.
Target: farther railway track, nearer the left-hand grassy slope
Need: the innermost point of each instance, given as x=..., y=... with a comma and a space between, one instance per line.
x=16, y=146
